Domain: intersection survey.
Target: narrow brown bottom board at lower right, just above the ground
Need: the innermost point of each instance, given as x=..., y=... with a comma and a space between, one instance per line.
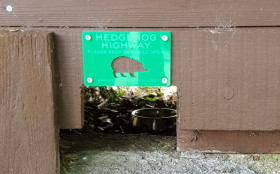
x=229, y=141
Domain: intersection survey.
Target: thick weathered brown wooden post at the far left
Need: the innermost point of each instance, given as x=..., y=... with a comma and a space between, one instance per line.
x=28, y=132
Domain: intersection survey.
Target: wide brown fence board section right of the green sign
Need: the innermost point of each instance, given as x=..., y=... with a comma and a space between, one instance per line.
x=230, y=79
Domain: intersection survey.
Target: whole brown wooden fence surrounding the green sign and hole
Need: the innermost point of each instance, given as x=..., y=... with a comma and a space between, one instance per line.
x=225, y=62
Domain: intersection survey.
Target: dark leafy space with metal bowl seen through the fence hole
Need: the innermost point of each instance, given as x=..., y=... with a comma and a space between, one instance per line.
x=109, y=110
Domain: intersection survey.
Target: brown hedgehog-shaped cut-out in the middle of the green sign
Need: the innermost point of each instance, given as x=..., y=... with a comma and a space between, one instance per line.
x=125, y=64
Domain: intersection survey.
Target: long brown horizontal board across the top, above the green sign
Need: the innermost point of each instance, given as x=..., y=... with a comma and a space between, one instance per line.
x=139, y=13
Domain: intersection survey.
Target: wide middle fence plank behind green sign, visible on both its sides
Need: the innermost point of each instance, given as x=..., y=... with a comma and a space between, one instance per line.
x=227, y=78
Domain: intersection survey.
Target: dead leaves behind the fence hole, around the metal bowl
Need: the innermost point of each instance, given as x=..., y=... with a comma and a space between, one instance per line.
x=109, y=110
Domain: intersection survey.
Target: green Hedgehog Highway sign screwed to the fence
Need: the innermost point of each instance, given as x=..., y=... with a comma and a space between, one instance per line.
x=123, y=58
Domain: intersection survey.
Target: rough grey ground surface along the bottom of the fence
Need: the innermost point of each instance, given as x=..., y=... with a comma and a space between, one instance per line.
x=143, y=153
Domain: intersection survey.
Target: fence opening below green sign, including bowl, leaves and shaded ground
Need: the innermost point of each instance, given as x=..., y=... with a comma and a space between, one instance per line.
x=121, y=119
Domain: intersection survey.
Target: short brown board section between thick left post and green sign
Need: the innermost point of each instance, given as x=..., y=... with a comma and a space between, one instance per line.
x=69, y=77
